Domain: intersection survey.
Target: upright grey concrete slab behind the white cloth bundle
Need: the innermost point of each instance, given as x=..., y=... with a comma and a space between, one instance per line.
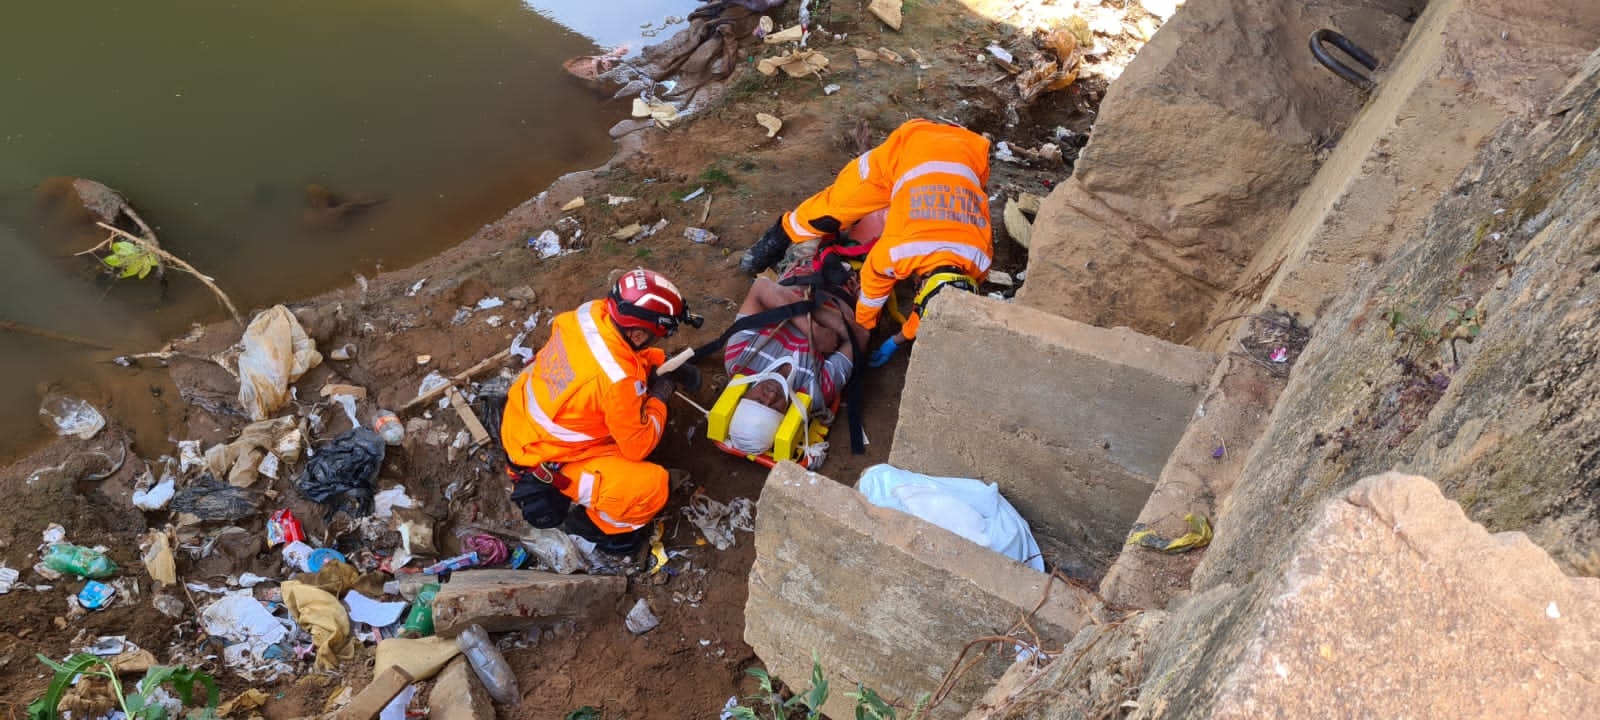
x=1073, y=422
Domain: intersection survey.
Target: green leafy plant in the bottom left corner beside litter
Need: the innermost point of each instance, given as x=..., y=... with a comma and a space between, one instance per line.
x=138, y=705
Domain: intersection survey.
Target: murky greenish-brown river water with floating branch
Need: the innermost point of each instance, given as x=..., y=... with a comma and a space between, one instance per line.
x=214, y=118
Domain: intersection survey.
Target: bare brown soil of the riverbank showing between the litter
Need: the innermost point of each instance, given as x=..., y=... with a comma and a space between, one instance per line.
x=697, y=658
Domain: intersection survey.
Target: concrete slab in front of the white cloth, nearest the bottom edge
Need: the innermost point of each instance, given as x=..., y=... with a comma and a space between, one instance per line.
x=887, y=599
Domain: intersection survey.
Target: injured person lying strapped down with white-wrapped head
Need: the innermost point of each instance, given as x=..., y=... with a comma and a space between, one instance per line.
x=806, y=354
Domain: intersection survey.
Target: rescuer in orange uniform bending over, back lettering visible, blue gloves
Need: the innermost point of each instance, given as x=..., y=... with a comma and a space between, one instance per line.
x=932, y=177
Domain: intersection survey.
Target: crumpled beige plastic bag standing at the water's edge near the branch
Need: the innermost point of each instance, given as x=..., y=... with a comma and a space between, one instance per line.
x=278, y=351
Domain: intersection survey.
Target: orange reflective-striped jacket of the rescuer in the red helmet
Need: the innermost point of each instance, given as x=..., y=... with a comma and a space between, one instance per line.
x=585, y=396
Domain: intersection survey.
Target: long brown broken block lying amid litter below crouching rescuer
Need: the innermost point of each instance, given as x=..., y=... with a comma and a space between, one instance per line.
x=516, y=599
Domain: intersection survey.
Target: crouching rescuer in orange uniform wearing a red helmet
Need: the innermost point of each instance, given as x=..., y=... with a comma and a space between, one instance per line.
x=590, y=409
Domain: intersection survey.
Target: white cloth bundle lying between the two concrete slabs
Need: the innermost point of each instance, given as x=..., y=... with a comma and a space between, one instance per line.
x=969, y=508
